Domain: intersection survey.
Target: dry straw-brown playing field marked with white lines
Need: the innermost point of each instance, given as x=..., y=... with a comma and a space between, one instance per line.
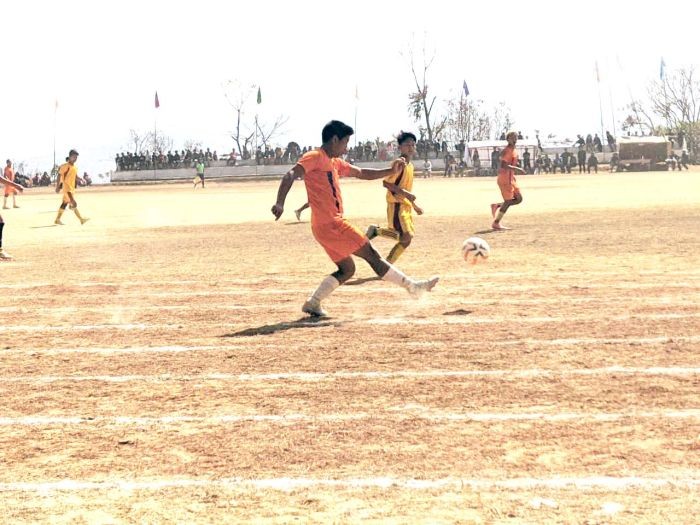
x=155, y=365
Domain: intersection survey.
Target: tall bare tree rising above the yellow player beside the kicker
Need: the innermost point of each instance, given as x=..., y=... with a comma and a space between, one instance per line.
x=420, y=102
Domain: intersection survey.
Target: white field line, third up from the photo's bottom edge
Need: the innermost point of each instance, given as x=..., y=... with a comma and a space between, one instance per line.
x=332, y=376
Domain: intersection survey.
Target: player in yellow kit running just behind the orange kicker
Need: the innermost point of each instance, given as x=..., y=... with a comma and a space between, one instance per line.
x=400, y=202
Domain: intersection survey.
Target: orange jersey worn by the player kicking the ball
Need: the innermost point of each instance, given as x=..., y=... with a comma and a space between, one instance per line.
x=321, y=177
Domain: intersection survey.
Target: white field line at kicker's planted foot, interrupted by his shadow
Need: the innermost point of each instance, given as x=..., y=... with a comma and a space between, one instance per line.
x=442, y=320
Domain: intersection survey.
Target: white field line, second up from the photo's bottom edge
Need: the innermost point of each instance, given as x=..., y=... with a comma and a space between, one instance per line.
x=397, y=413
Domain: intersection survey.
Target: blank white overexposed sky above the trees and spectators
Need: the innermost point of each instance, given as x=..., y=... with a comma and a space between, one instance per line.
x=103, y=61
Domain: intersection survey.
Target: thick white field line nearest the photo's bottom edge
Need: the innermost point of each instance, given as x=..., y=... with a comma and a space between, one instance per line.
x=608, y=483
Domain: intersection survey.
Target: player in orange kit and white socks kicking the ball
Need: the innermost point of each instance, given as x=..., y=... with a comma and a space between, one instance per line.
x=322, y=170
